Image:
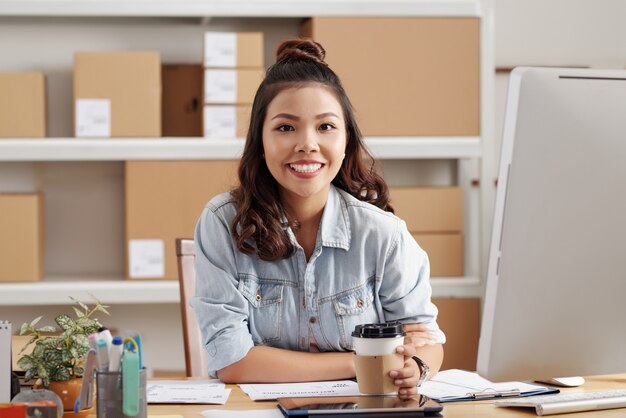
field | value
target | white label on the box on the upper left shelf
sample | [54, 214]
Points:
[93, 118]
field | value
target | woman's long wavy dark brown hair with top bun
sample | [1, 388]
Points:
[259, 220]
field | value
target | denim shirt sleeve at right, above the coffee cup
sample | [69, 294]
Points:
[405, 291]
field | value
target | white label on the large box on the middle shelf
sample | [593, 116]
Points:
[146, 258]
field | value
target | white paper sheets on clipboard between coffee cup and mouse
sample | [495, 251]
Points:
[456, 383]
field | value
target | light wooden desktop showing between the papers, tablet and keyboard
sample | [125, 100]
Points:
[239, 400]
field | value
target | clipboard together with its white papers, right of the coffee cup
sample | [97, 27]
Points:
[460, 385]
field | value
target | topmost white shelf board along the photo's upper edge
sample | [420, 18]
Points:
[240, 8]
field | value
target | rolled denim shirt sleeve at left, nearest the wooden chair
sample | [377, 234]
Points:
[221, 310]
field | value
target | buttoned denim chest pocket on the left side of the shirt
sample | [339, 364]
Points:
[265, 302]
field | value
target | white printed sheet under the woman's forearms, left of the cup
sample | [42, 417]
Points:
[270, 391]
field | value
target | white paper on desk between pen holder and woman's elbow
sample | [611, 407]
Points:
[187, 391]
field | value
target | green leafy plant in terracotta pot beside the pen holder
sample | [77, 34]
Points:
[58, 360]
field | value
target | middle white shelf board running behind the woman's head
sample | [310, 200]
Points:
[121, 149]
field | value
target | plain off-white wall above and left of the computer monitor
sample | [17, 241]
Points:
[588, 33]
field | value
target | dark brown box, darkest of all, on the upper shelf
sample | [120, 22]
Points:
[181, 105]
